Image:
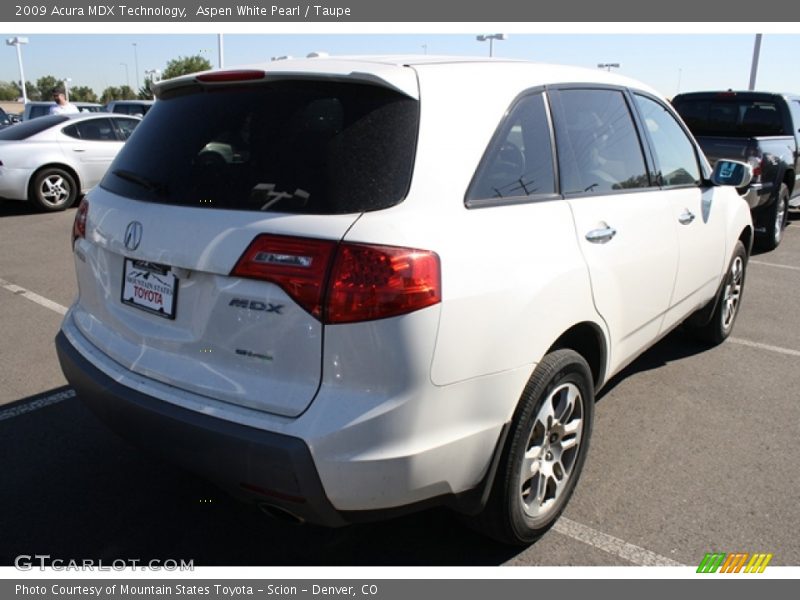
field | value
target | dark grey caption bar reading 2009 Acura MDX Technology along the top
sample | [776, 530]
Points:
[411, 11]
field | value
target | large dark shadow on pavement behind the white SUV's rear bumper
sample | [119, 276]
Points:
[74, 491]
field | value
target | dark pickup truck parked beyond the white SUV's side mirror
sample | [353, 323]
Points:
[762, 129]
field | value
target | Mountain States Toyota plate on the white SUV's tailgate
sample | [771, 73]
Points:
[149, 287]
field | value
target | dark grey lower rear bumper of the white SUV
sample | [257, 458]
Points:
[261, 466]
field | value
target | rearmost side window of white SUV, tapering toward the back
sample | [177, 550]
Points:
[519, 161]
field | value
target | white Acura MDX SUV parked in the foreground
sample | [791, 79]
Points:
[346, 288]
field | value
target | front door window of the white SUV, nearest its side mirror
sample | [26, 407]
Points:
[675, 153]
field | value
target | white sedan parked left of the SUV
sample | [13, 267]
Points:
[52, 160]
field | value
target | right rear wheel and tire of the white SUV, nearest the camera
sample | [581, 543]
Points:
[544, 452]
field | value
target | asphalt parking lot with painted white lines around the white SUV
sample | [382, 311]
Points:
[694, 450]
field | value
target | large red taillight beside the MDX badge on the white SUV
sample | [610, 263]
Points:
[345, 283]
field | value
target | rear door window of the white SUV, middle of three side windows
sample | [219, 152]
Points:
[599, 148]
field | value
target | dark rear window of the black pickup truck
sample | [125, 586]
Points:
[731, 117]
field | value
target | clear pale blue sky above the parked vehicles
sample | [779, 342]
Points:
[668, 62]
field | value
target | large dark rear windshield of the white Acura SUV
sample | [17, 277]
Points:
[292, 146]
